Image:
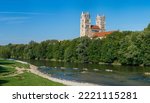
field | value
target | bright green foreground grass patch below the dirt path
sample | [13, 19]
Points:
[28, 79]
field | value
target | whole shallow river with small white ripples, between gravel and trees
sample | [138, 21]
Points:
[94, 73]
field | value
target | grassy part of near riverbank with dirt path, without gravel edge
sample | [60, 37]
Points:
[10, 76]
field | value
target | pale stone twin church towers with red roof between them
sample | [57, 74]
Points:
[86, 29]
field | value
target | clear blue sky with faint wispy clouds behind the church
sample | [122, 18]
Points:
[24, 20]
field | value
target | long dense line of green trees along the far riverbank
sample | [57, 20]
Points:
[126, 48]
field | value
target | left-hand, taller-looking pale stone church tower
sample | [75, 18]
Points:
[85, 25]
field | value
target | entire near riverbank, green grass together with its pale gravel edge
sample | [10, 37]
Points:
[25, 74]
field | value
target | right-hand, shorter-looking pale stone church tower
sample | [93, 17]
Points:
[100, 21]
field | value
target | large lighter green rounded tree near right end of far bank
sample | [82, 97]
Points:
[130, 52]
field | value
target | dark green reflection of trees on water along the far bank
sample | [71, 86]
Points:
[126, 69]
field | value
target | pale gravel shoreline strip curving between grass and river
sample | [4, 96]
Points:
[34, 69]
